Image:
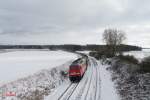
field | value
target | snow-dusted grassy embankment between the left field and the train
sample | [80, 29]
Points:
[36, 86]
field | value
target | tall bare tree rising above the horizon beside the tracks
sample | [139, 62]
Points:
[113, 38]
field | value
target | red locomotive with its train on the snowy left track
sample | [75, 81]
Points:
[77, 69]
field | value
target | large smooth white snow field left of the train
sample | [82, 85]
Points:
[18, 64]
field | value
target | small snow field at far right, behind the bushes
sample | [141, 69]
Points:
[139, 54]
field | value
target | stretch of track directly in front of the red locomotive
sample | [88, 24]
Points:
[68, 92]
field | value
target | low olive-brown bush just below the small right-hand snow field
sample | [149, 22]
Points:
[129, 58]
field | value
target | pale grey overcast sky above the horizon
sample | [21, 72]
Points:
[73, 21]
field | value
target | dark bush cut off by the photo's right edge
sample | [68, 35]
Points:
[145, 64]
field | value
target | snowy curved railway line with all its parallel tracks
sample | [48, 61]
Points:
[88, 88]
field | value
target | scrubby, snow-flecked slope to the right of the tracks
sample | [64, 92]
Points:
[131, 84]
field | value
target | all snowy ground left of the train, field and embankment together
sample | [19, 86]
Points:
[41, 73]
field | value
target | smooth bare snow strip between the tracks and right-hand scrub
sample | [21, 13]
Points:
[108, 90]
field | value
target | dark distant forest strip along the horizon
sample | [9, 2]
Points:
[70, 47]
